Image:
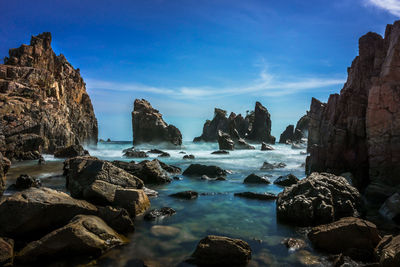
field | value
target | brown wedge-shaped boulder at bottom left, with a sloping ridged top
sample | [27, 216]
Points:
[84, 235]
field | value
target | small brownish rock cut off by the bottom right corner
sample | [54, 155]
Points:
[388, 251]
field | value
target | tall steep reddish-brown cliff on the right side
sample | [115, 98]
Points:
[358, 130]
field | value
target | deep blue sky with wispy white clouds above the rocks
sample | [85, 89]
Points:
[189, 56]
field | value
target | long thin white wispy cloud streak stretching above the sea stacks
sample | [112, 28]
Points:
[265, 85]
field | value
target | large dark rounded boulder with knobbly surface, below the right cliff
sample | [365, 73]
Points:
[319, 198]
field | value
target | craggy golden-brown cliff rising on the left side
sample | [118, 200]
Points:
[43, 102]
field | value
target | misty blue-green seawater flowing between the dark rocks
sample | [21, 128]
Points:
[217, 212]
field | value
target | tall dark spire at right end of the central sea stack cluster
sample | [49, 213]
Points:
[261, 126]
